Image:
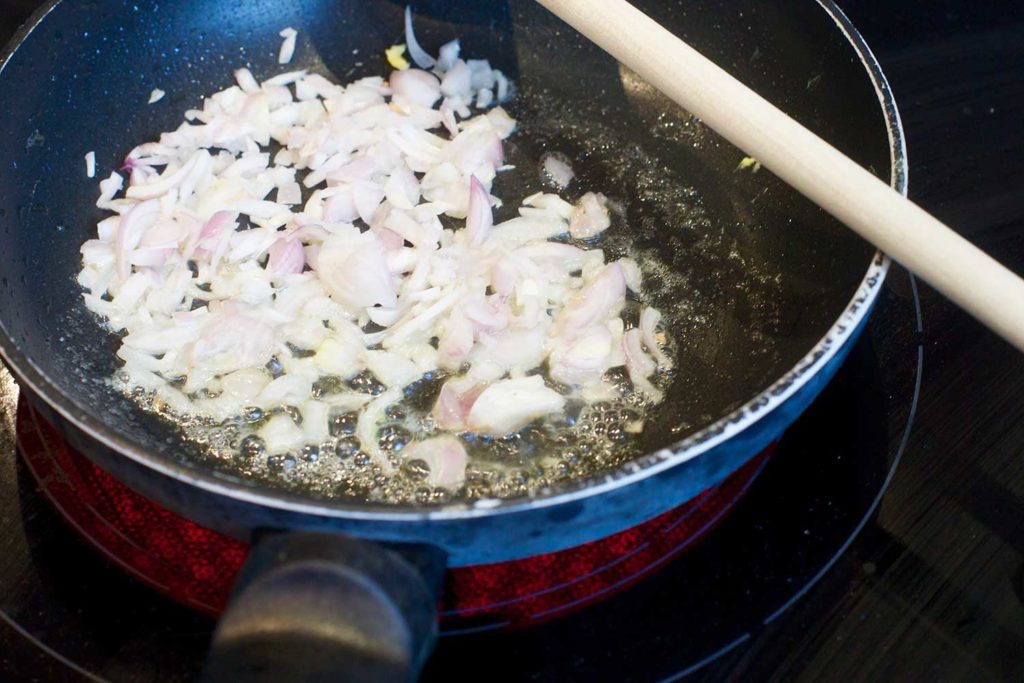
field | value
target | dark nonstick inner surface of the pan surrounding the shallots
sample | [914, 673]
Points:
[756, 275]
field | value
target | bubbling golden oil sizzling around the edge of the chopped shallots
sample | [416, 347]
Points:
[587, 439]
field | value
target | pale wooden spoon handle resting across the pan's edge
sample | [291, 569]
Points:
[969, 277]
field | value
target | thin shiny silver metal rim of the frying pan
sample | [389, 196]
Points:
[753, 411]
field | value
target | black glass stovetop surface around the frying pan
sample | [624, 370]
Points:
[884, 541]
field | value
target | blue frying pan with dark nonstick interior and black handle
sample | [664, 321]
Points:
[767, 292]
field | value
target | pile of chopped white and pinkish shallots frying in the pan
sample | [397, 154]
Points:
[244, 281]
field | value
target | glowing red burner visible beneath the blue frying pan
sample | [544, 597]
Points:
[197, 567]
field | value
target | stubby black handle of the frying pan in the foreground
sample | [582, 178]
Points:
[314, 607]
